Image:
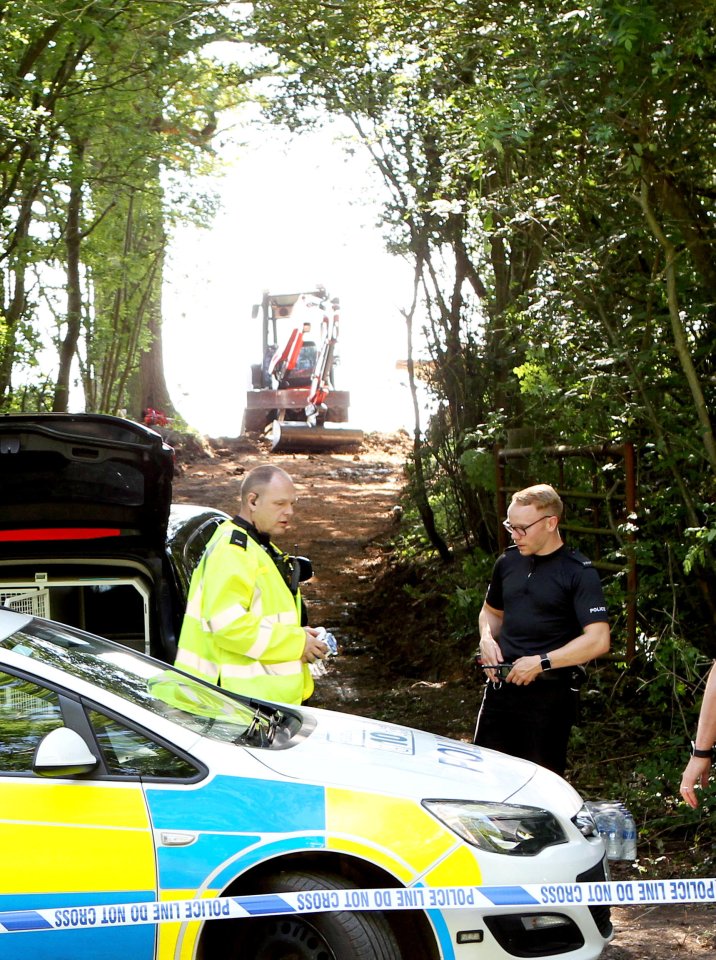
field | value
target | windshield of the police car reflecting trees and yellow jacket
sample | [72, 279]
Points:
[138, 679]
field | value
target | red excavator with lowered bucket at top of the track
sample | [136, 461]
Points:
[293, 393]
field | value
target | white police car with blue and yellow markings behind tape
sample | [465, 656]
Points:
[128, 788]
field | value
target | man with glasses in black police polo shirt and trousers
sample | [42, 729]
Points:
[545, 614]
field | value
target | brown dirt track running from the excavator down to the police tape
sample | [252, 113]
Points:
[344, 523]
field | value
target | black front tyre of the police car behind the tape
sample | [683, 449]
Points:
[339, 935]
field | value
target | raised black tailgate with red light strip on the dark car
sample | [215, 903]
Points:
[68, 477]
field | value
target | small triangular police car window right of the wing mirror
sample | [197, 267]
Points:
[130, 753]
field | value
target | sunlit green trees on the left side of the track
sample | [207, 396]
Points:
[98, 102]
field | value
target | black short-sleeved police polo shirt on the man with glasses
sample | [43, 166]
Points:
[546, 600]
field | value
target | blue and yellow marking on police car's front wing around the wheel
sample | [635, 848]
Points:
[395, 833]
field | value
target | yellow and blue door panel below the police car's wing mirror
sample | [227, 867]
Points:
[64, 842]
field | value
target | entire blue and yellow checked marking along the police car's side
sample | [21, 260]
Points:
[102, 845]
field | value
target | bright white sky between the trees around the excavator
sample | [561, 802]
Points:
[294, 215]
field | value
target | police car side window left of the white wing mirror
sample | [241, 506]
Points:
[27, 714]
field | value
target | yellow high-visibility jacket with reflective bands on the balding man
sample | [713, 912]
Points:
[242, 627]
